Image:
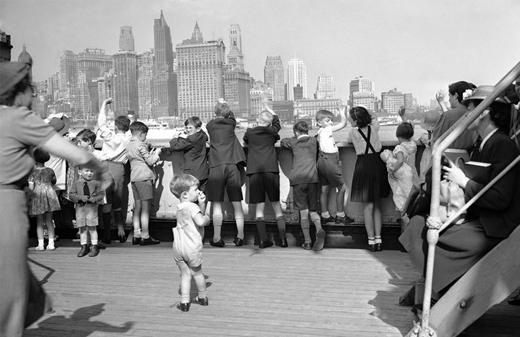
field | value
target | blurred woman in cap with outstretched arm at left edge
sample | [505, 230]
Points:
[22, 300]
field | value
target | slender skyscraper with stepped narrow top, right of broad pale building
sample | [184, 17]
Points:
[237, 83]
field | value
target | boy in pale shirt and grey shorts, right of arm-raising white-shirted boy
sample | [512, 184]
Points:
[142, 178]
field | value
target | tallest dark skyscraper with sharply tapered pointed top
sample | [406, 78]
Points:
[164, 101]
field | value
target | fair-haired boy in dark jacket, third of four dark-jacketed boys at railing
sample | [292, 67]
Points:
[263, 173]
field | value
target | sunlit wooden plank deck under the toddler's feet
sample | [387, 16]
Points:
[132, 291]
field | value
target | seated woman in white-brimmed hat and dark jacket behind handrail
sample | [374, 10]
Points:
[491, 219]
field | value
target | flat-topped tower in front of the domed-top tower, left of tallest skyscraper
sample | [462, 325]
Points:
[125, 83]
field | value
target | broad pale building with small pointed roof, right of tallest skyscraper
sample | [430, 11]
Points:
[200, 75]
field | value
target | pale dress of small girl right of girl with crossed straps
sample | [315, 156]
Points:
[400, 178]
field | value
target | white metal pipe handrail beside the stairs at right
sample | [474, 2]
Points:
[434, 222]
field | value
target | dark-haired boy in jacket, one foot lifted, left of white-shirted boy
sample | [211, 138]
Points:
[304, 182]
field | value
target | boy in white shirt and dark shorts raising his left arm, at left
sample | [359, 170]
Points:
[114, 149]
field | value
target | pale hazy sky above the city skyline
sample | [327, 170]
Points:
[417, 46]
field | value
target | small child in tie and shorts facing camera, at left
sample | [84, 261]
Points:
[87, 194]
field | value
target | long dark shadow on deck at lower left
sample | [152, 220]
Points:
[80, 323]
